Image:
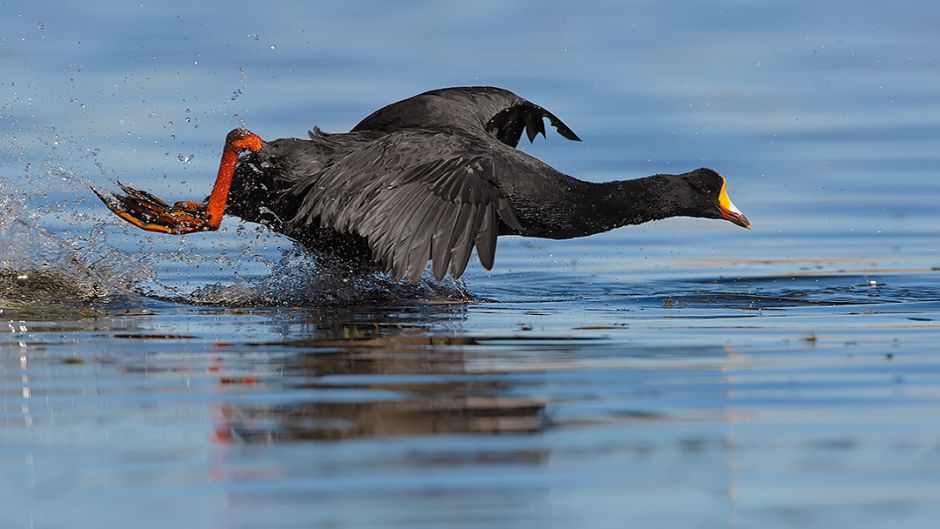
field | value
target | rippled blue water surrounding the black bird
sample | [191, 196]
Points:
[685, 373]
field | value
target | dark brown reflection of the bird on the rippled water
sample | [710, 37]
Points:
[381, 381]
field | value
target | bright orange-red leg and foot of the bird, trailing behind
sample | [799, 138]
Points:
[153, 214]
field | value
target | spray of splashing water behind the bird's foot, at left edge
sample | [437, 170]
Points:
[53, 261]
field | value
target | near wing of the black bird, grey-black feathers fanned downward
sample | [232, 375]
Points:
[414, 195]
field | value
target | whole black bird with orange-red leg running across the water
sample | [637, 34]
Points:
[427, 178]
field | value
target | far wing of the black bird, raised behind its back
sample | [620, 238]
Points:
[500, 112]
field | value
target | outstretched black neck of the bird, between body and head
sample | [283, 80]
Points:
[605, 206]
